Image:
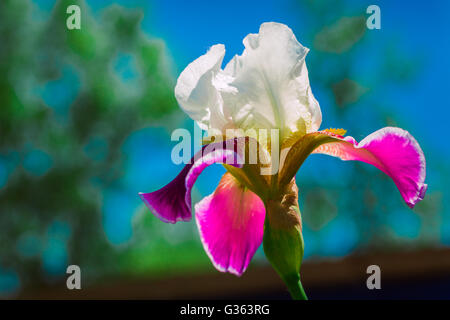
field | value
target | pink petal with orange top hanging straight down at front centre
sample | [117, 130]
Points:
[231, 225]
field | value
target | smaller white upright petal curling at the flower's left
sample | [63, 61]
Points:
[195, 91]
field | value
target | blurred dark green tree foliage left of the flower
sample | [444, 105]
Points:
[65, 111]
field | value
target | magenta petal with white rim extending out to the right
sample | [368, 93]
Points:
[392, 150]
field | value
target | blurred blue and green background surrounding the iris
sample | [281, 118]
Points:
[85, 123]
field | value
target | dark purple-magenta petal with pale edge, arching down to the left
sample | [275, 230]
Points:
[172, 203]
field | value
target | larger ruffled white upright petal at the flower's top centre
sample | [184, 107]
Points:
[271, 83]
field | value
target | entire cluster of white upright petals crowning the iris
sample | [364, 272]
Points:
[266, 87]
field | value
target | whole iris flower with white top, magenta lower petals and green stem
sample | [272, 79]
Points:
[267, 87]
